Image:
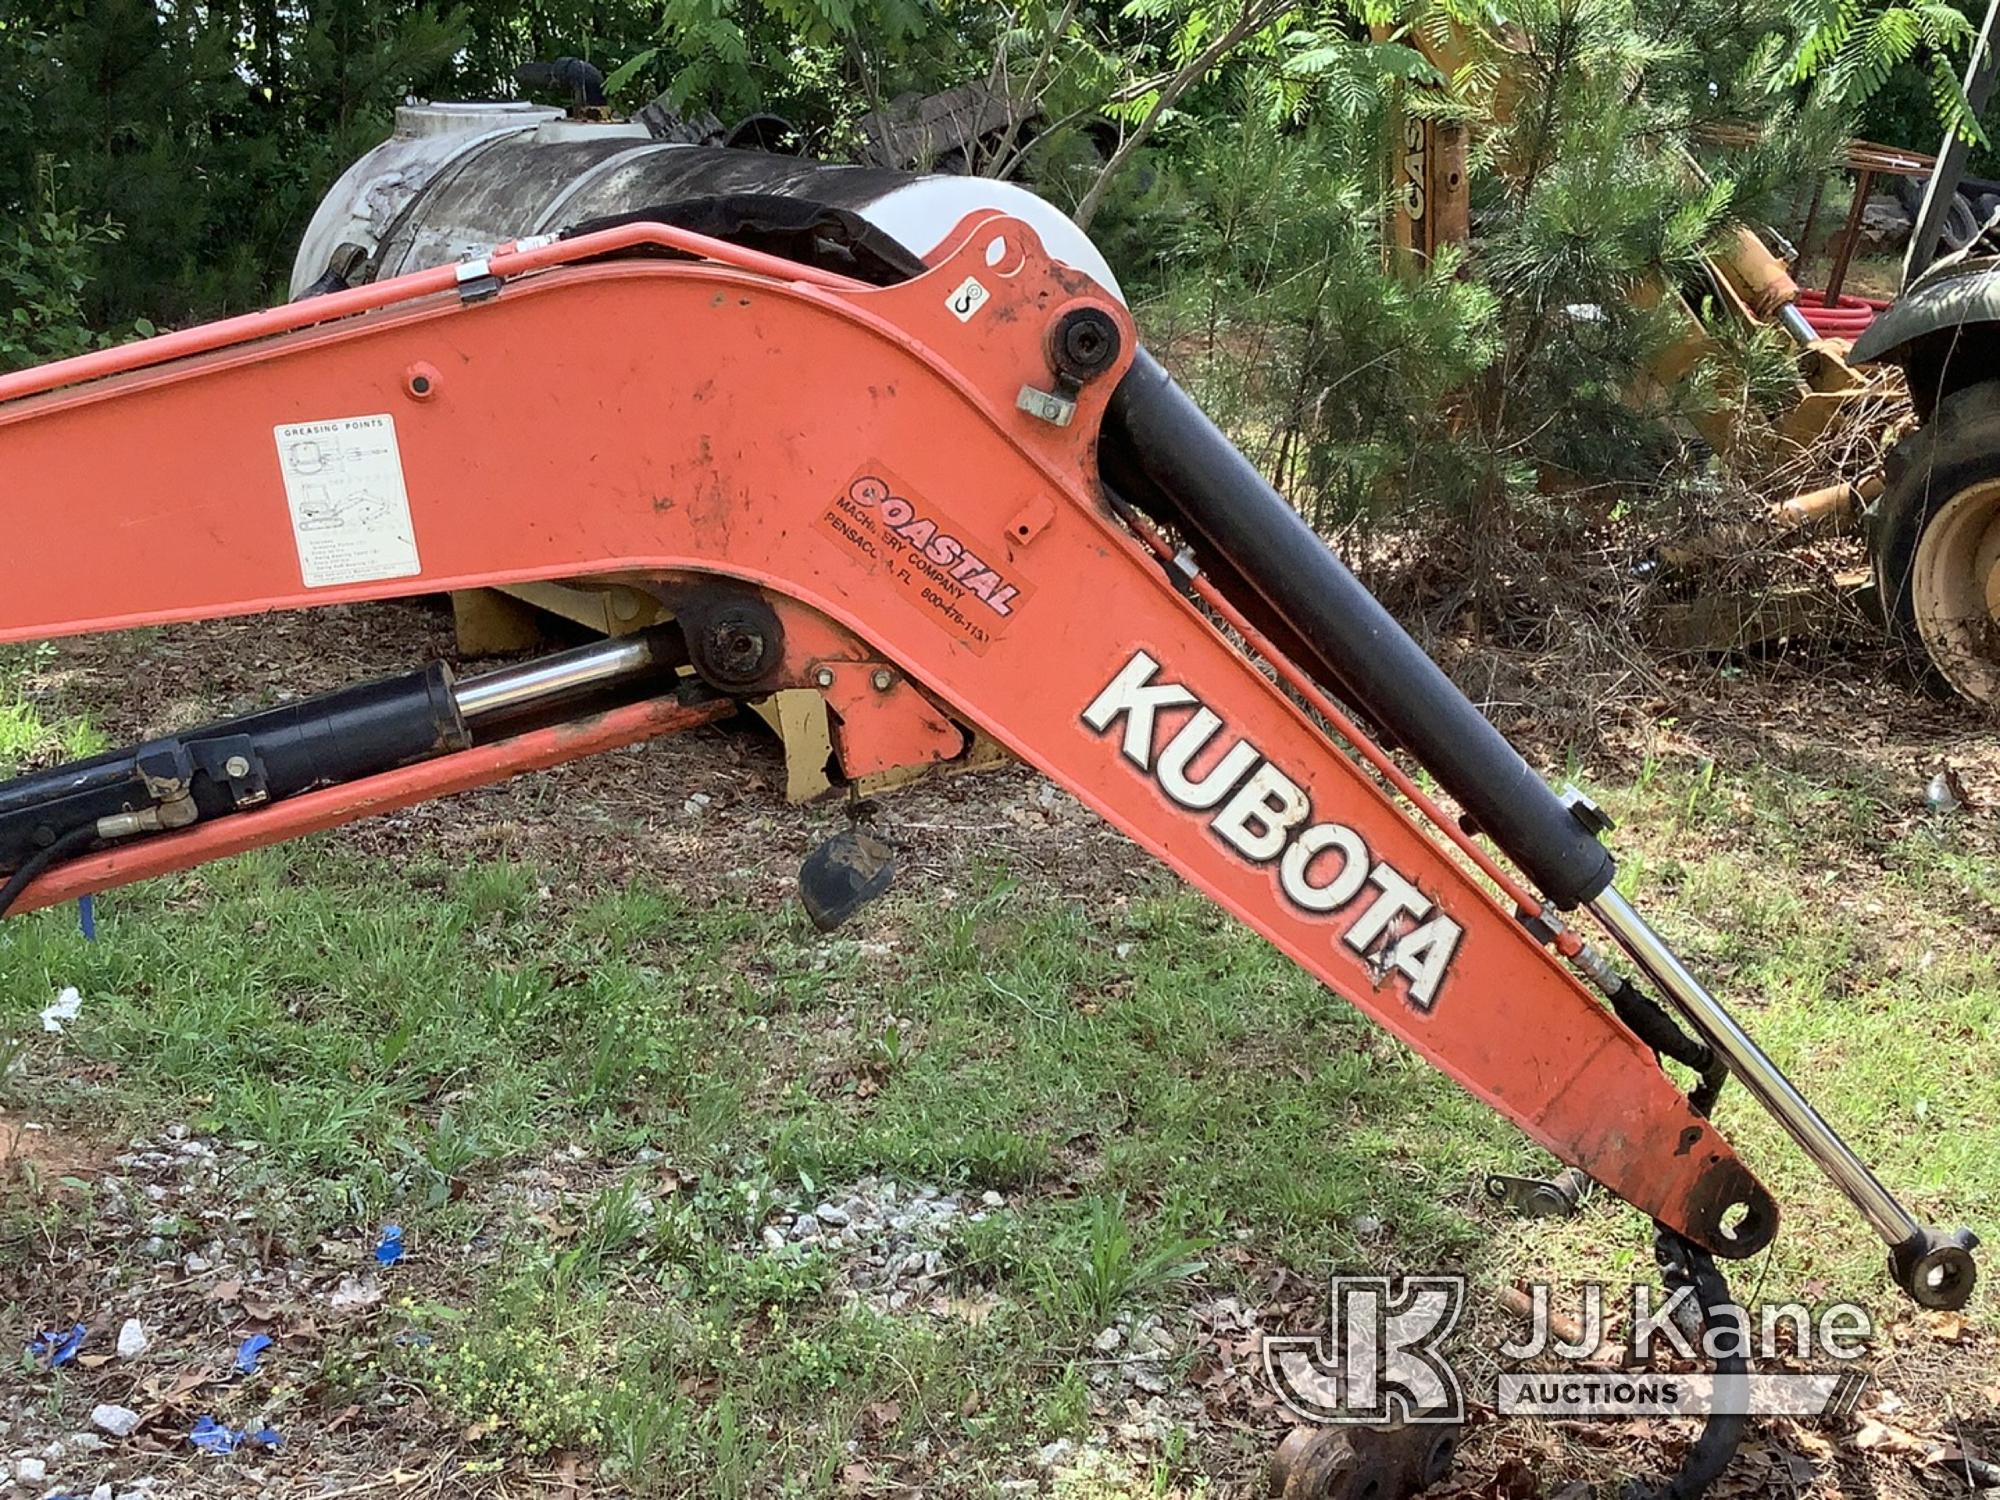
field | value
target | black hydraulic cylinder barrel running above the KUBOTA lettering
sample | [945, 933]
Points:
[1377, 665]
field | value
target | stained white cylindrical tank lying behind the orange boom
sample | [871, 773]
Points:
[459, 179]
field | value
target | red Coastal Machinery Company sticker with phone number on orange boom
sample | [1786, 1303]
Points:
[925, 555]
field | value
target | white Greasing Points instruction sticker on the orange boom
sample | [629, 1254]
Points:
[351, 515]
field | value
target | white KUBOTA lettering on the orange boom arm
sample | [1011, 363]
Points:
[1323, 869]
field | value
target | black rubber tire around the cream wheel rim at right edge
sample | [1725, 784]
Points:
[1953, 453]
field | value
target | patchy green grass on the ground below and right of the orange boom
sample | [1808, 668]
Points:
[1165, 1101]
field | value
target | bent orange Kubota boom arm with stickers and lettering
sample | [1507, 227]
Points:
[885, 495]
